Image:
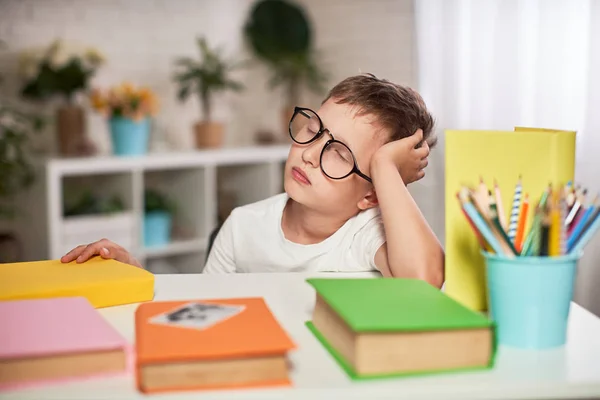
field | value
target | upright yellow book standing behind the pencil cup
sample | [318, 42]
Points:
[539, 156]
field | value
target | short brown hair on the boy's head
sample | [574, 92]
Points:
[399, 109]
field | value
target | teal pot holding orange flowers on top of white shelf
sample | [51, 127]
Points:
[129, 137]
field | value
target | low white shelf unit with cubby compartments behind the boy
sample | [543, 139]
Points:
[201, 184]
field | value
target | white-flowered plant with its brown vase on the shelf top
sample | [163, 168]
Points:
[61, 70]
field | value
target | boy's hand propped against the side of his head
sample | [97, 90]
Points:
[404, 154]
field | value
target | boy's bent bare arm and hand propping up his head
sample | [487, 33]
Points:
[412, 249]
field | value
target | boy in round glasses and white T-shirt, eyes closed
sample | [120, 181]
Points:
[346, 206]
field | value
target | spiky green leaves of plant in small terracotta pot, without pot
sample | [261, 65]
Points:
[205, 77]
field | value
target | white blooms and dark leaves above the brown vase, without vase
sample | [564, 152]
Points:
[61, 69]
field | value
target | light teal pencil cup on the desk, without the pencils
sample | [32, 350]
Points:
[529, 299]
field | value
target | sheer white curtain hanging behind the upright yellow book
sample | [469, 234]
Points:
[495, 64]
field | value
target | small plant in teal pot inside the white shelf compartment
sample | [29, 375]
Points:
[158, 216]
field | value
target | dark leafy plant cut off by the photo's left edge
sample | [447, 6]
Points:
[16, 169]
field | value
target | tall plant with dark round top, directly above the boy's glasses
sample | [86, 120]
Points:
[280, 34]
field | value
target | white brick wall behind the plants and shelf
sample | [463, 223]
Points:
[142, 37]
